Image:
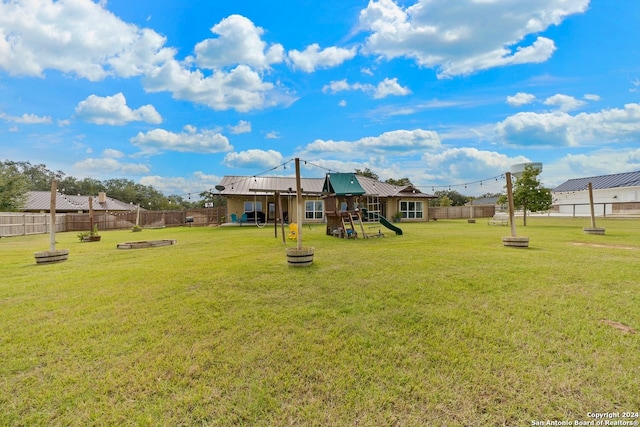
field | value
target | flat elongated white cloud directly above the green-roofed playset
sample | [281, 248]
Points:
[399, 142]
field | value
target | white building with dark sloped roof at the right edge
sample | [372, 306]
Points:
[612, 194]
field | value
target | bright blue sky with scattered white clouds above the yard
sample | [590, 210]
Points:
[177, 94]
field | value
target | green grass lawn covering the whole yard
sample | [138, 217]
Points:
[440, 326]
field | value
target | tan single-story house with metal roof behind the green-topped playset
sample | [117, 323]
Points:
[247, 194]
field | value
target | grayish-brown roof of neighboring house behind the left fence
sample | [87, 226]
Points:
[40, 201]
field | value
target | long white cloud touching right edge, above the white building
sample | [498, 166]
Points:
[562, 129]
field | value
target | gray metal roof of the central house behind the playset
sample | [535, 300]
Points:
[248, 185]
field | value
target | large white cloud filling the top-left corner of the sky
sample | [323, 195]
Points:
[75, 36]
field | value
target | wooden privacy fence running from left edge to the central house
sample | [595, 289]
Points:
[20, 224]
